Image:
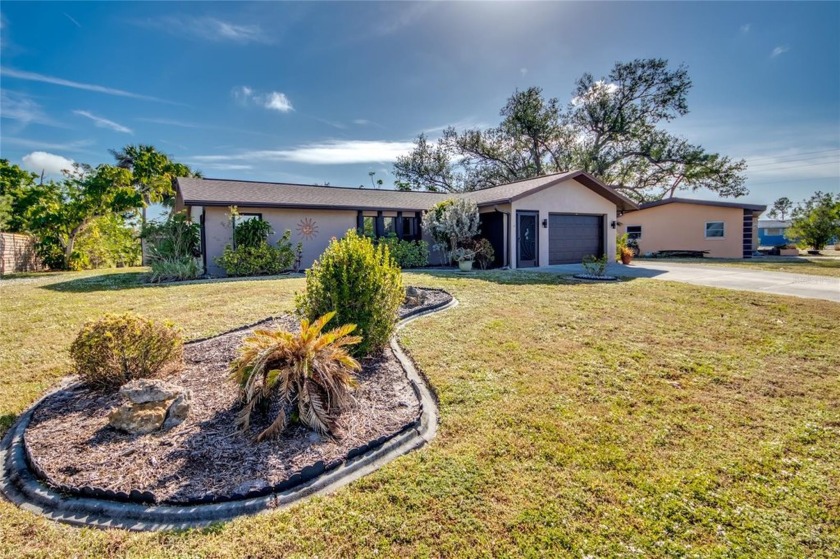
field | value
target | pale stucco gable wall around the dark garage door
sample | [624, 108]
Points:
[567, 197]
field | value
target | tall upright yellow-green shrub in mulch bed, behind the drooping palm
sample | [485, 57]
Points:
[361, 283]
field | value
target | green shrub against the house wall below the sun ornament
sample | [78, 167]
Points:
[262, 259]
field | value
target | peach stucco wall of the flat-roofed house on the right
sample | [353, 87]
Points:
[683, 227]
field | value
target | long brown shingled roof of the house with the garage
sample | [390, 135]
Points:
[223, 192]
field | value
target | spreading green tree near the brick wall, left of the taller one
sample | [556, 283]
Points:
[58, 212]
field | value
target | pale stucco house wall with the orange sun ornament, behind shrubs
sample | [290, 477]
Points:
[329, 223]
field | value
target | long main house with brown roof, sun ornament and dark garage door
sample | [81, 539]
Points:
[555, 219]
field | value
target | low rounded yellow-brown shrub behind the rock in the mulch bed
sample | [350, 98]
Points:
[115, 349]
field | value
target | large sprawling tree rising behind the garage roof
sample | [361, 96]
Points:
[611, 128]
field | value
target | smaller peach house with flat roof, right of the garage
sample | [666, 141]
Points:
[724, 229]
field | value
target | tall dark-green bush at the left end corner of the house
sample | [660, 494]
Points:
[173, 248]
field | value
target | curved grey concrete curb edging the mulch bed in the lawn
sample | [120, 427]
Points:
[20, 484]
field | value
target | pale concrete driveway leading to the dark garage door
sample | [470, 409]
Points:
[727, 277]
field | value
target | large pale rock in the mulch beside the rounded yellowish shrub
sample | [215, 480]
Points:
[152, 405]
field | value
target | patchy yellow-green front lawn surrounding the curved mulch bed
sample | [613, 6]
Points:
[641, 418]
